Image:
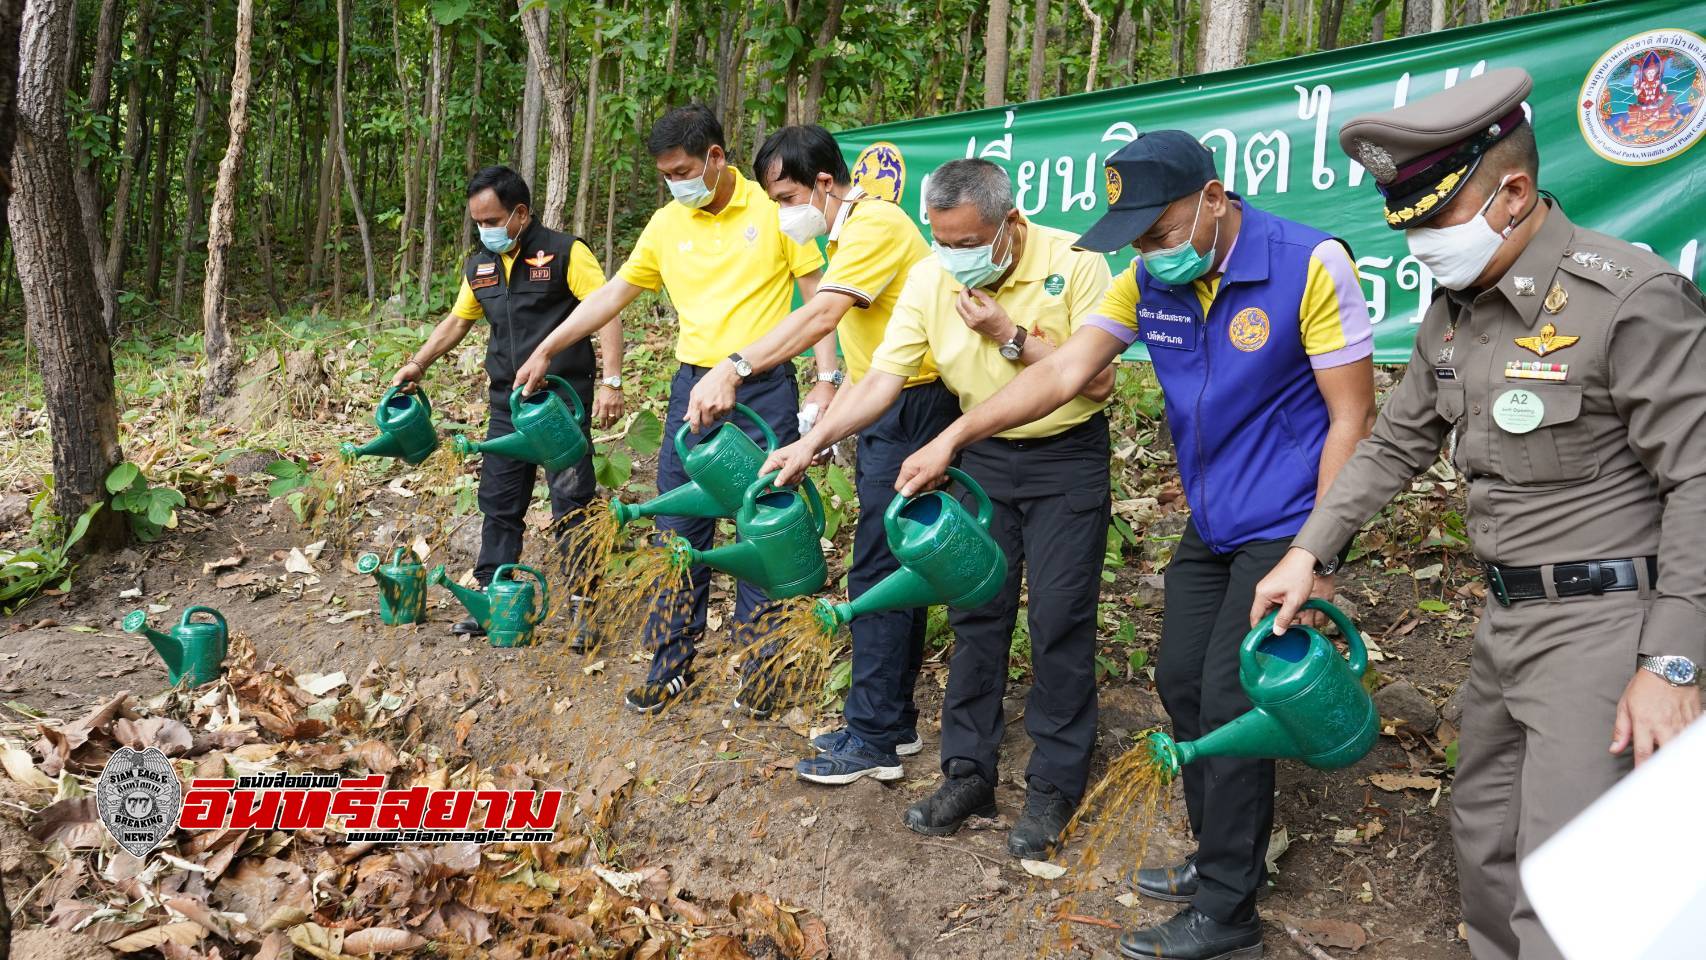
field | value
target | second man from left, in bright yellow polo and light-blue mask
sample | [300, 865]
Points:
[729, 270]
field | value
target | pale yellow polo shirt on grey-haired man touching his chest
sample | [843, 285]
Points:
[1052, 292]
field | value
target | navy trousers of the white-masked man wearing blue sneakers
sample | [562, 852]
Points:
[888, 647]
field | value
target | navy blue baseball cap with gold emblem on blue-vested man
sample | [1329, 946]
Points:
[1144, 178]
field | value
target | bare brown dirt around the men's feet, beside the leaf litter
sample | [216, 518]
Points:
[717, 801]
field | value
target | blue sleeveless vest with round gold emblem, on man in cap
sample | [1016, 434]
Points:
[1246, 415]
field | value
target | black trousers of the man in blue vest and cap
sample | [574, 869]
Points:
[1231, 801]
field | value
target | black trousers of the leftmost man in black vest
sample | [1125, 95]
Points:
[506, 490]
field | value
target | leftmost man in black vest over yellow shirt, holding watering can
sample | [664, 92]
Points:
[523, 306]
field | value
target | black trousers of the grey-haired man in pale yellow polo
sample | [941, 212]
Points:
[1052, 509]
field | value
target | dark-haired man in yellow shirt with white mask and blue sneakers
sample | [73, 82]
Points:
[873, 246]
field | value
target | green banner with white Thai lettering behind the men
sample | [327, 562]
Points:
[1618, 95]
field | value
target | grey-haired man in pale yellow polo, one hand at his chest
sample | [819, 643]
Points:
[997, 298]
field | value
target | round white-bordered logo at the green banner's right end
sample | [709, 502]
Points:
[1642, 101]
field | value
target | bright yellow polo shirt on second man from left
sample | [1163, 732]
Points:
[729, 274]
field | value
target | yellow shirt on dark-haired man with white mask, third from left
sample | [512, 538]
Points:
[871, 250]
